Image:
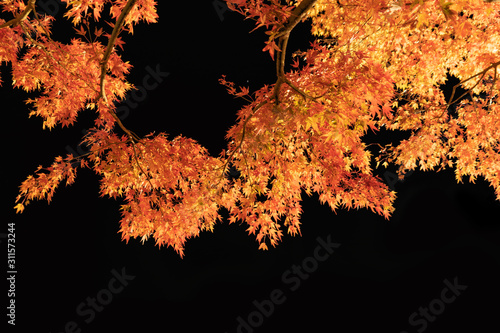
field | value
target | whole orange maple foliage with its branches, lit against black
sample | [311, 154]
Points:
[375, 65]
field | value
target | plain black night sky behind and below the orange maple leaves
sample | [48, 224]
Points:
[432, 267]
